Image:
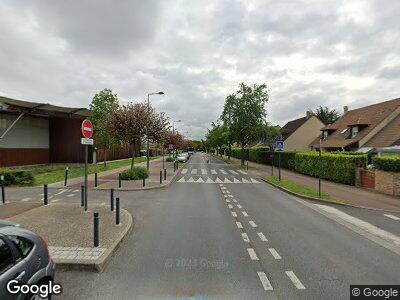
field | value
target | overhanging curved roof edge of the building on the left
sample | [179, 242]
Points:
[36, 108]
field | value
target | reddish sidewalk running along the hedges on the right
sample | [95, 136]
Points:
[347, 194]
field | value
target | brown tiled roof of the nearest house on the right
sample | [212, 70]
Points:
[372, 116]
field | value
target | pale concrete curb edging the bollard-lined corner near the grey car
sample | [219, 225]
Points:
[99, 264]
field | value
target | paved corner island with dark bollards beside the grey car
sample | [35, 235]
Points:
[69, 232]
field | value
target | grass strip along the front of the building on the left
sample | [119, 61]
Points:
[54, 173]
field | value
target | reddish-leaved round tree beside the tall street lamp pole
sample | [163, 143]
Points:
[128, 123]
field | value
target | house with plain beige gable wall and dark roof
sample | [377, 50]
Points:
[300, 133]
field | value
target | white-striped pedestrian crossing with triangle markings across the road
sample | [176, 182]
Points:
[215, 176]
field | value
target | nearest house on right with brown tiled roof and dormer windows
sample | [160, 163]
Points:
[372, 126]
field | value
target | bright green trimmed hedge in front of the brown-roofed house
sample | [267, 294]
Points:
[334, 167]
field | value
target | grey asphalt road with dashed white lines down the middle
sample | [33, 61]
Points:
[220, 233]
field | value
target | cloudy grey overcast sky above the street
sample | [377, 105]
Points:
[309, 53]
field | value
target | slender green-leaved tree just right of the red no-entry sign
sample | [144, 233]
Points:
[103, 103]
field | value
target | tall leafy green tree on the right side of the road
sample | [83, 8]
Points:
[246, 113]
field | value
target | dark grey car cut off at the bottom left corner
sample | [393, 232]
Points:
[24, 256]
